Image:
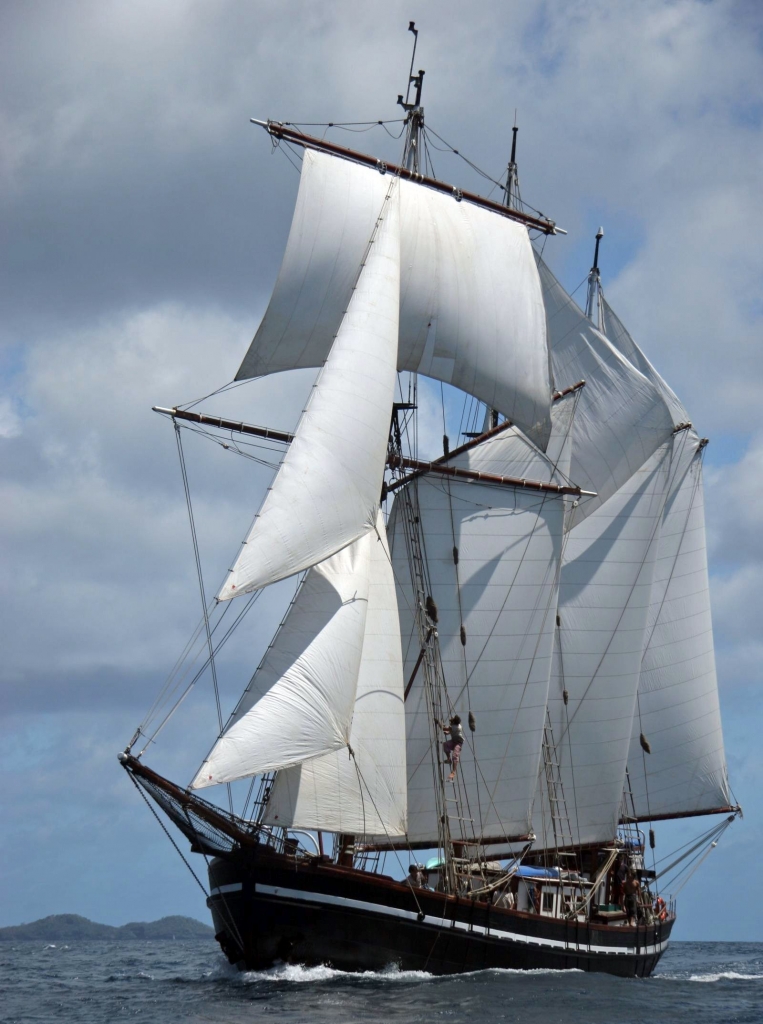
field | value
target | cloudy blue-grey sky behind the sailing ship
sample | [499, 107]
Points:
[144, 220]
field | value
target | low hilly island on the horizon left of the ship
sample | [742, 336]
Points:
[68, 927]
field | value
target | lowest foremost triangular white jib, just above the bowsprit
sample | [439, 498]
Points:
[300, 703]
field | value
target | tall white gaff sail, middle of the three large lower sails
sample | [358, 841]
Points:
[604, 603]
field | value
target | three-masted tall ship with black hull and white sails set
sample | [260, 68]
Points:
[496, 676]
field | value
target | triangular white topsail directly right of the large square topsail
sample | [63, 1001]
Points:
[622, 418]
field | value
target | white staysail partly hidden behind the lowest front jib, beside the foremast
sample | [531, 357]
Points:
[364, 794]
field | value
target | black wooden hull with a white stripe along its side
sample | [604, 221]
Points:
[268, 909]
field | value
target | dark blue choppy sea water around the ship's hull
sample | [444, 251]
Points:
[189, 983]
